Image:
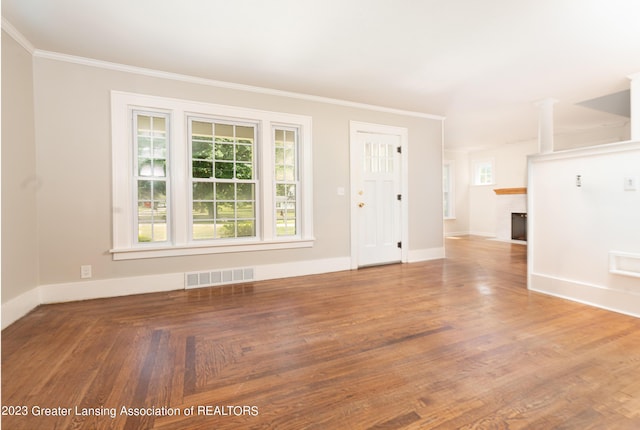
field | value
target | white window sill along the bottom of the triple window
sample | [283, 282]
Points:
[196, 249]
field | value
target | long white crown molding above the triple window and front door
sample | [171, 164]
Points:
[222, 84]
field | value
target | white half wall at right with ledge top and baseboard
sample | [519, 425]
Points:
[573, 230]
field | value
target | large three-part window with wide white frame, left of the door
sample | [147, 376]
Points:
[194, 178]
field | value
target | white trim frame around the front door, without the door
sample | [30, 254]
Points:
[356, 127]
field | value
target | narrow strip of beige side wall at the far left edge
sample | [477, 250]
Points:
[20, 182]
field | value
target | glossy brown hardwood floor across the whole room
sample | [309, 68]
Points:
[453, 343]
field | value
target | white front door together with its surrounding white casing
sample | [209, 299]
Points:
[378, 194]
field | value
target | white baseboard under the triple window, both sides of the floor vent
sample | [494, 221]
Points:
[101, 288]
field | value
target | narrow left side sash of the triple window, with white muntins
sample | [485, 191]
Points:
[151, 140]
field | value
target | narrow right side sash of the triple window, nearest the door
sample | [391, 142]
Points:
[286, 180]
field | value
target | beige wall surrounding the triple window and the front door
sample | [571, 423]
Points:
[73, 157]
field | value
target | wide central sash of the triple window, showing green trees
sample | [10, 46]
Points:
[223, 172]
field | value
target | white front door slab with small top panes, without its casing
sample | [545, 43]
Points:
[377, 197]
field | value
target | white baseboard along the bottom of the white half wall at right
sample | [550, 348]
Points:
[623, 302]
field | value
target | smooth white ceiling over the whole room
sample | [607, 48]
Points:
[481, 64]
